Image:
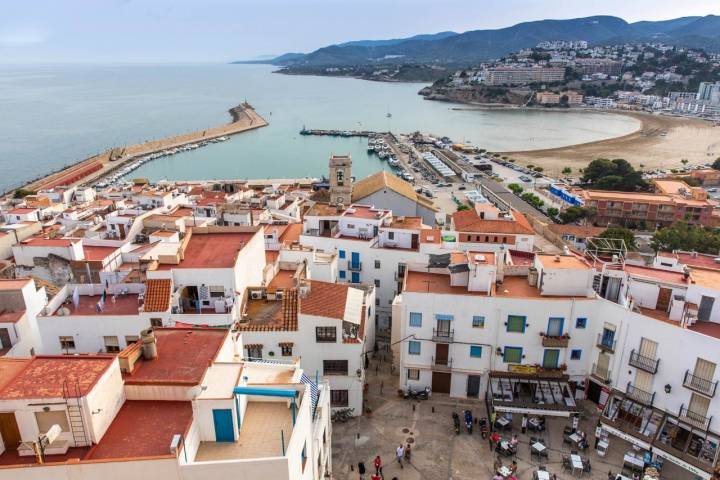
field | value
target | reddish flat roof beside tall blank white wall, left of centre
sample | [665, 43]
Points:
[212, 250]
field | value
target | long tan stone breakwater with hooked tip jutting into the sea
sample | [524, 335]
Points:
[244, 118]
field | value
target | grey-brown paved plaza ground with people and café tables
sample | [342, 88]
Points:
[438, 453]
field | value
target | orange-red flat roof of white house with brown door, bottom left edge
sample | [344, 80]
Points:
[44, 376]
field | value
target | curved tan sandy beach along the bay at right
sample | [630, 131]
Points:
[661, 142]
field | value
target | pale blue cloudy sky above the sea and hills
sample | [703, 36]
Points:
[171, 31]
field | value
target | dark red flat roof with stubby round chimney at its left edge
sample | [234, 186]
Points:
[183, 357]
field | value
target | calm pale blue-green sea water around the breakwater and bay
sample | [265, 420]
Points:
[51, 116]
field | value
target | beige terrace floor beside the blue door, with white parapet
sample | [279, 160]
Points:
[263, 427]
